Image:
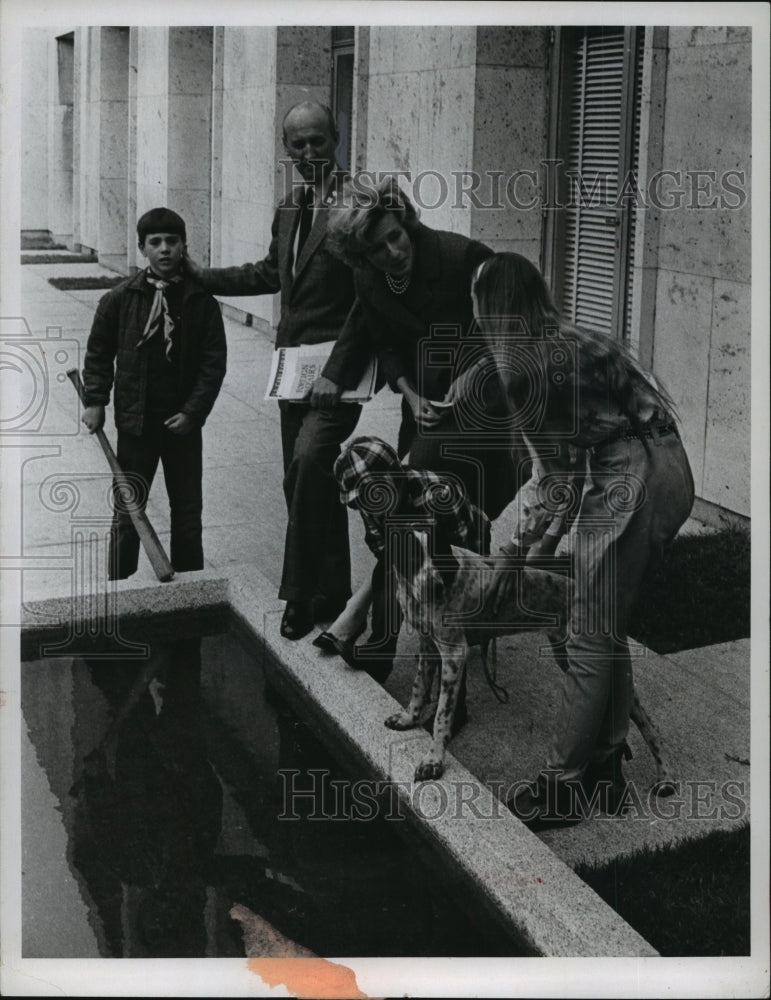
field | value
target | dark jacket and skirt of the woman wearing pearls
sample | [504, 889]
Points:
[428, 336]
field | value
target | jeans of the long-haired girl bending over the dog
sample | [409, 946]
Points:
[632, 506]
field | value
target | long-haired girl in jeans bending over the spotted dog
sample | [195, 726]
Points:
[607, 456]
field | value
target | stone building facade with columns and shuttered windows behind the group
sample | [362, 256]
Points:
[616, 158]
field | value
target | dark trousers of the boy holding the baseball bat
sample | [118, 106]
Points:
[181, 458]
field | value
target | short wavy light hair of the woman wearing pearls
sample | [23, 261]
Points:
[359, 209]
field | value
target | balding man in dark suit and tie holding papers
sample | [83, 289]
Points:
[316, 296]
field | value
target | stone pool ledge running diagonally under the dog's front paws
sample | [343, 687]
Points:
[522, 882]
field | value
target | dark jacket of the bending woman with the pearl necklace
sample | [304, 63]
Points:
[437, 305]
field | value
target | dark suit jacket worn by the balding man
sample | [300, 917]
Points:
[316, 296]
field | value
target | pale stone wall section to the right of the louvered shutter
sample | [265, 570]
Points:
[702, 319]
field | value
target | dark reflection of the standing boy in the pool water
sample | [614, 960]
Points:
[149, 806]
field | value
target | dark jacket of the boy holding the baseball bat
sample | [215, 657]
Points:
[120, 320]
